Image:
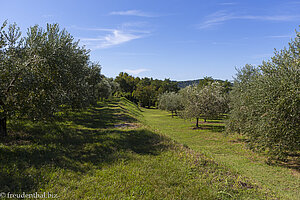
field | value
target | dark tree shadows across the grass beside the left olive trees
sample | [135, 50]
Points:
[33, 148]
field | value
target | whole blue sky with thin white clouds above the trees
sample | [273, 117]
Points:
[176, 39]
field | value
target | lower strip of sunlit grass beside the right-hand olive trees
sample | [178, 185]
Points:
[229, 151]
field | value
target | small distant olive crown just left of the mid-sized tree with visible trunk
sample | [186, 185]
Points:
[170, 101]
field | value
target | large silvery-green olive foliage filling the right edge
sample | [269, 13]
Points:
[265, 102]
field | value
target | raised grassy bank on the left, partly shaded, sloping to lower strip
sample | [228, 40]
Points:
[105, 152]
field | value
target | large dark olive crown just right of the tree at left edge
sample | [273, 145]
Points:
[64, 75]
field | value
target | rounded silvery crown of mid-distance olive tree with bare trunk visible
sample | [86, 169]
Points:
[205, 102]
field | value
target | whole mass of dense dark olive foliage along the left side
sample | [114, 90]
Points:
[42, 73]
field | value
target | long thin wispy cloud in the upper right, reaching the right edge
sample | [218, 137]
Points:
[221, 17]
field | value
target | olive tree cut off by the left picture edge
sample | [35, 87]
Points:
[14, 71]
